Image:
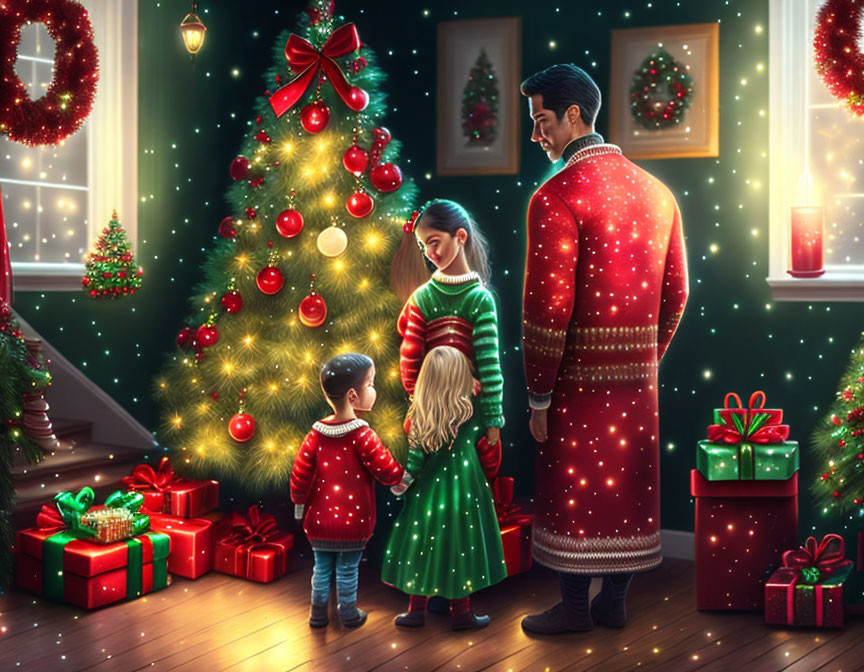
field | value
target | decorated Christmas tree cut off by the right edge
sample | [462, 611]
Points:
[839, 443]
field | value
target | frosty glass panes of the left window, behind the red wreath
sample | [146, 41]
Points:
[44, 188]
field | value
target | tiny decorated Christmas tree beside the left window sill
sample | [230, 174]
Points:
[111, 270]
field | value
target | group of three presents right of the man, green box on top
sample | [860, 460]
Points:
[747, 555]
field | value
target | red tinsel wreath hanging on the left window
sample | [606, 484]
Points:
[69, 99]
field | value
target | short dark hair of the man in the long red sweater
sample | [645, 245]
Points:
[564, 85]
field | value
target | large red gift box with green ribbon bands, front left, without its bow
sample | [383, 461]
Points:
[86, 574]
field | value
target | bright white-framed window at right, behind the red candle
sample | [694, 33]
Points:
[817, 158]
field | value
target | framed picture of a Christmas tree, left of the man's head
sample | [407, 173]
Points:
[478, 96]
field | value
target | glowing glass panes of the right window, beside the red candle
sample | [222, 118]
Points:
[837, 167]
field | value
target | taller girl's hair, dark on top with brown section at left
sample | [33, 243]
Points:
[410, 268]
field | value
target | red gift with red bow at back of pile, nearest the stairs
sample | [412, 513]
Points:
[165, 492]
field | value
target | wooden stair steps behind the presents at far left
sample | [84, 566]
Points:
[78, 462]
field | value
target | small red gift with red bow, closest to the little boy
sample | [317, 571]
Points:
[252, 547]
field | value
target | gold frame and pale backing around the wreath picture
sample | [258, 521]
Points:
[695, 45]
